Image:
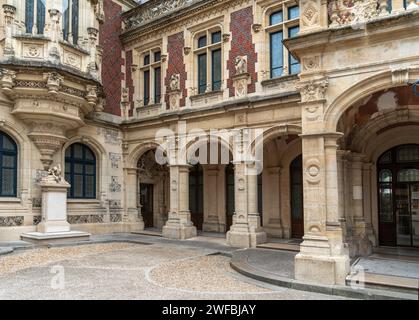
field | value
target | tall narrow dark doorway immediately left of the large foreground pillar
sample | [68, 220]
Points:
[297, 205]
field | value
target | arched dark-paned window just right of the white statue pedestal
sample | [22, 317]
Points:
[80, 171]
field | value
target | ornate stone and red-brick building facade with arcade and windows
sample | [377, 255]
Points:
[329, 86]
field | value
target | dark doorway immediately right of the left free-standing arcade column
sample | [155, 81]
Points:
[196, 195]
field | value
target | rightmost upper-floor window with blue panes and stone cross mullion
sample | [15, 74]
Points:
[282, 23]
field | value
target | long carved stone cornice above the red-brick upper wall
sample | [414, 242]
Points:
[182, 17]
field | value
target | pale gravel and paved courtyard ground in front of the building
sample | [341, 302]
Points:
[130, 271]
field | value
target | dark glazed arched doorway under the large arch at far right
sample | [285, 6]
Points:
[398, 196]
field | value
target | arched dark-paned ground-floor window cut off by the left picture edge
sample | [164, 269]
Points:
[8, 166]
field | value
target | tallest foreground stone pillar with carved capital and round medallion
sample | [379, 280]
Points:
[323, 255]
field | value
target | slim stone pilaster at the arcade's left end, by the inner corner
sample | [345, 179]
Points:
[133, 216]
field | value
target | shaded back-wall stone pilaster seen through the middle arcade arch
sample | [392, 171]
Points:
[211, 223]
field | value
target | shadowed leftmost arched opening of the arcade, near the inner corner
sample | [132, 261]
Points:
[152, 190]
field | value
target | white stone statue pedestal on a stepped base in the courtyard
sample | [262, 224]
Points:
[54, 226]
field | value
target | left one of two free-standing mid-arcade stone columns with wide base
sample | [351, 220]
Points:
[179, 224]
